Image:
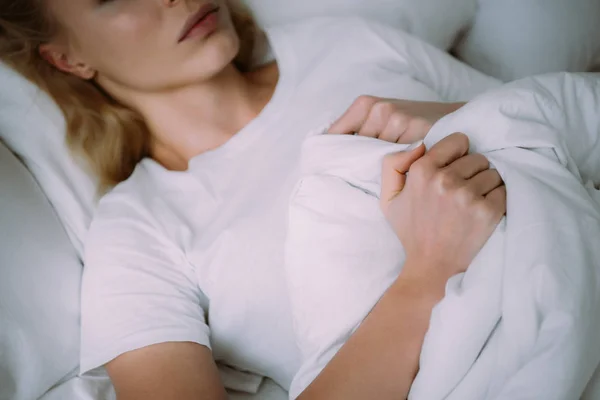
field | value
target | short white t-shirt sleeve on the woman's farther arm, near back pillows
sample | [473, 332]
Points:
[450, 78]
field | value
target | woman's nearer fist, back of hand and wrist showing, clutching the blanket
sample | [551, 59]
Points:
[443, 205]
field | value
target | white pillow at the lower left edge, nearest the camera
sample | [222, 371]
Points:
[39, 288]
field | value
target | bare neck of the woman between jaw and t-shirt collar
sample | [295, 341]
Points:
[193, 119]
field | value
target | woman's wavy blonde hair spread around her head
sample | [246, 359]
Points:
[112, 137]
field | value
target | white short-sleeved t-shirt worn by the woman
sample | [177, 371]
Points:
[198, 255]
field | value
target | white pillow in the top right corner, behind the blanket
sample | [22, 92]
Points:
[511, 39]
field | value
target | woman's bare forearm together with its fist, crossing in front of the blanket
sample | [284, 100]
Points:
[443, 214]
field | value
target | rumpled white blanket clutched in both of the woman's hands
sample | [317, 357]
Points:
[524, 321]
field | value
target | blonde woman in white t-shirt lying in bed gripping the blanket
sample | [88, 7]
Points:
[160, 97]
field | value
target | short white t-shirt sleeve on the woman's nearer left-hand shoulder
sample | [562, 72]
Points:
[138, 289]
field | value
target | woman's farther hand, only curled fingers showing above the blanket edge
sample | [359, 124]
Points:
[397, 121]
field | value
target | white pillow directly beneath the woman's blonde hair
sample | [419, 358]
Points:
[32, 126]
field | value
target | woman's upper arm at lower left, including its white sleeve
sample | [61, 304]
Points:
[143, 315]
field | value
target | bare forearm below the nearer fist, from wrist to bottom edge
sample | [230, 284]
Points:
[380, 361]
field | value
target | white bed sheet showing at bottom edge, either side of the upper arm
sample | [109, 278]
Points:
[99, 387]
